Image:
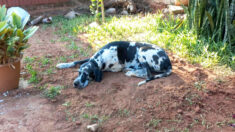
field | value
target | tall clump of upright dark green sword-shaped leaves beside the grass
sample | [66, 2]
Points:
[213, 19]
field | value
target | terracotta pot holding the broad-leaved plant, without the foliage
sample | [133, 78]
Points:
[9, 76]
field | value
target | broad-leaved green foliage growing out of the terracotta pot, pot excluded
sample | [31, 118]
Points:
[13, 36]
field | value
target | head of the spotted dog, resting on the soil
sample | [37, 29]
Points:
[87, 72]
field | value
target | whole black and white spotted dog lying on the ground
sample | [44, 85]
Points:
[138, 59]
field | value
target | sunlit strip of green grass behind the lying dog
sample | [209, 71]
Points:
[153, 28]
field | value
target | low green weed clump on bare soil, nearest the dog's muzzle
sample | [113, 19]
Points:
[53, 91]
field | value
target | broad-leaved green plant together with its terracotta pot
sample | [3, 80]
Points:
[13, 40]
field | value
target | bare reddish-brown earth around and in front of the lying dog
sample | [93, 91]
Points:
[174, 103]
